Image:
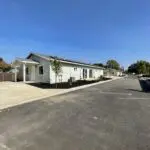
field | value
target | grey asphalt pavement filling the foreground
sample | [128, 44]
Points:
[110, 116]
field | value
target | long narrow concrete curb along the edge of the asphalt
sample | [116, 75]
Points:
[57, 94]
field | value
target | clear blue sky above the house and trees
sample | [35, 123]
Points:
[85, 30]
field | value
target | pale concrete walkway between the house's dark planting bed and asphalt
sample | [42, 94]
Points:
[12, 94]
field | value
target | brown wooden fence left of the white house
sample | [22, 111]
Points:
[7, 77]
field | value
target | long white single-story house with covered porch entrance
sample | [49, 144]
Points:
[38, 68]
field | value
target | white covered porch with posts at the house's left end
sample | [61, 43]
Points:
[26, 68]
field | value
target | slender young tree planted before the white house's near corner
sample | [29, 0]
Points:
[57, 68]
